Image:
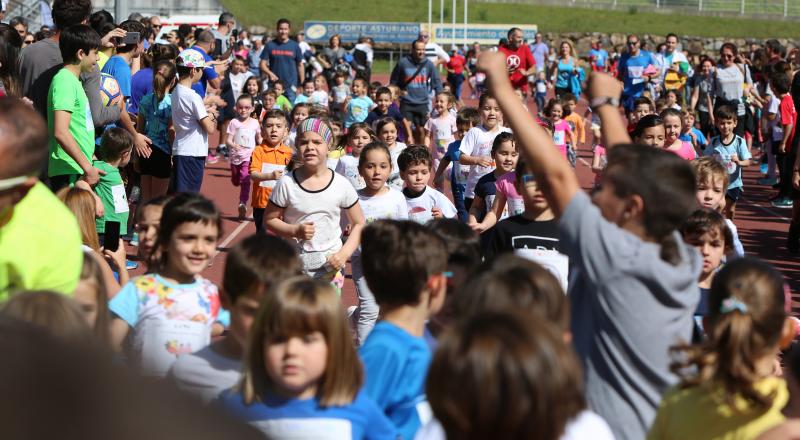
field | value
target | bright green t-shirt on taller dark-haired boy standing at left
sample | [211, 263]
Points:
[66, 93]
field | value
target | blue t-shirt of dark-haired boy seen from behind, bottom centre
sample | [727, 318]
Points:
[396, 364]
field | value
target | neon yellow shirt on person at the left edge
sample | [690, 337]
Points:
[40, 246]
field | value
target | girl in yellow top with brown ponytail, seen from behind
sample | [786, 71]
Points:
[728, 387]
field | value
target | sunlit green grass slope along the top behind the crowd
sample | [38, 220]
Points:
[549, 18]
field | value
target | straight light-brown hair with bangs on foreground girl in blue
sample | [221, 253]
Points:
[300, 306]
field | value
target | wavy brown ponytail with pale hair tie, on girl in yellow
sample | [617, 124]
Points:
[745, 323]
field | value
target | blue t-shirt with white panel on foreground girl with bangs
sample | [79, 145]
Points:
[278, 416]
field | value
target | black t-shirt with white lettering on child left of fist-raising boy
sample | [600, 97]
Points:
[517, 232]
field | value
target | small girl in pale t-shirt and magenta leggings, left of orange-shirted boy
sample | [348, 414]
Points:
[243, 136]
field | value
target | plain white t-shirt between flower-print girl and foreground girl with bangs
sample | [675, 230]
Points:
[205, 374]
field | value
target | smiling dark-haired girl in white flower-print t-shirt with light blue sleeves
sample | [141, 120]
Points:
[171, 311]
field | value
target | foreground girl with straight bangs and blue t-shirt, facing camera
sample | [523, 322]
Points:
[302, 377]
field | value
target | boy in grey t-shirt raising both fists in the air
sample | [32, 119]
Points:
[625, 253]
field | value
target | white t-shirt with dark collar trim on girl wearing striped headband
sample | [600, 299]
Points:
[322, 207]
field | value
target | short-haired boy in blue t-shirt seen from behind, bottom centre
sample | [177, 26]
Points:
[409, 288]
